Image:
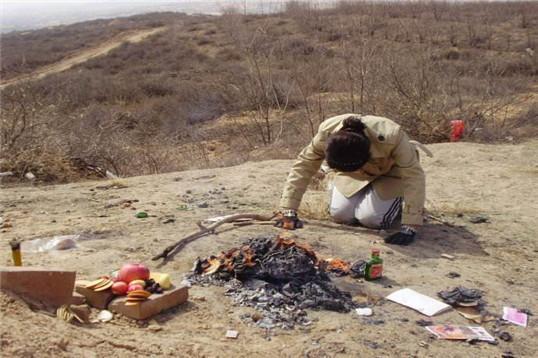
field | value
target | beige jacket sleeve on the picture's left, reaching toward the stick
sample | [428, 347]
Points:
[307, 164]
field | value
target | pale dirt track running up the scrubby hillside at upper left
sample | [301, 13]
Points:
[84, 56]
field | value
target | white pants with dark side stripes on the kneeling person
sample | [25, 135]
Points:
[366, 206]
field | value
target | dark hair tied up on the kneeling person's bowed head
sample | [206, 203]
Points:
[349, 148]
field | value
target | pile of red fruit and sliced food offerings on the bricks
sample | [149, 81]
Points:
[134, 281]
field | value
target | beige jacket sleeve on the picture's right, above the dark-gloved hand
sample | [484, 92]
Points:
[413, 180]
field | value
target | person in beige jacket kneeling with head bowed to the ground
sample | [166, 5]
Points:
[377, 174]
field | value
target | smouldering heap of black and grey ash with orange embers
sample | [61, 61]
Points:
[277, 276]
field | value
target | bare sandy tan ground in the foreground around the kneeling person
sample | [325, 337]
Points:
[463, 179]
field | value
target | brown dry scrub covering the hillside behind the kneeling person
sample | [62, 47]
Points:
[214, 91]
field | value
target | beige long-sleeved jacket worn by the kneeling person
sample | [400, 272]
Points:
[394, 168]
